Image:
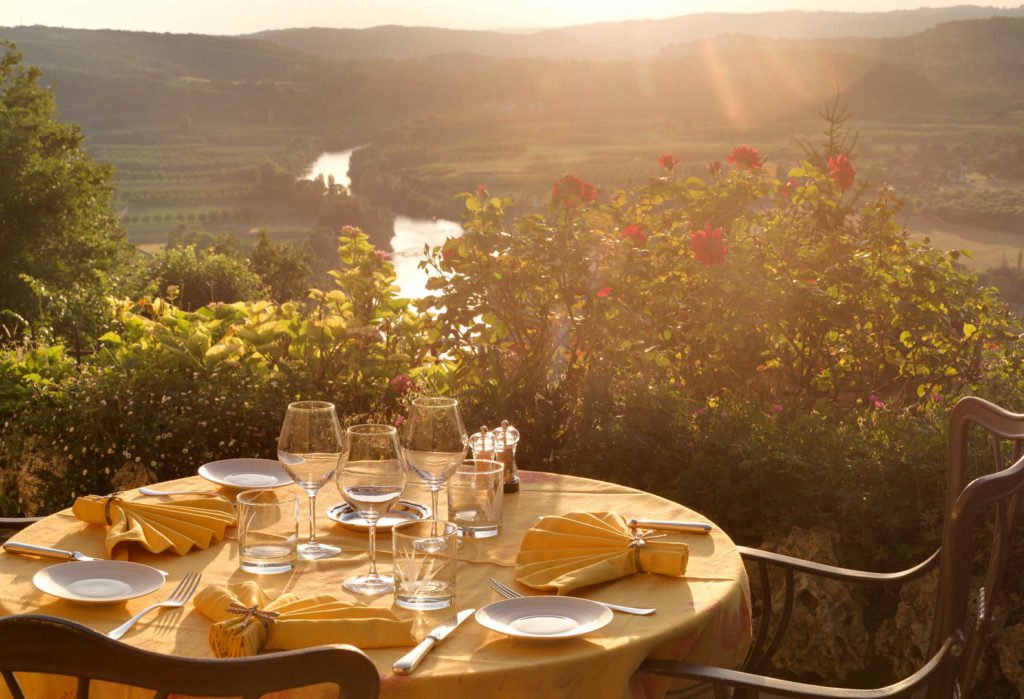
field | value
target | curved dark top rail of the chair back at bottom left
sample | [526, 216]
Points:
[33, 643]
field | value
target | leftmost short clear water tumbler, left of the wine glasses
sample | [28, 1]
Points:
[269, 532]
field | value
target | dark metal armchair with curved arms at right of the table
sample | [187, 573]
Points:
[959, 638]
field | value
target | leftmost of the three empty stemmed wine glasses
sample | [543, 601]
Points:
[309, 449]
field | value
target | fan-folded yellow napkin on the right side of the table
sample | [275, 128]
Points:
[584, 549]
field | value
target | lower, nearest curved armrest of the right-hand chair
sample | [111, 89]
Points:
[719, 678]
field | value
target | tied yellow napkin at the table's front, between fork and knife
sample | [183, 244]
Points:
[246, 622]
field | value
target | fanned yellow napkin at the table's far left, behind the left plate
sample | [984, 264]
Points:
[178, 526]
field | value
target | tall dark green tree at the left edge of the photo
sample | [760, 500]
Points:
[62, 243]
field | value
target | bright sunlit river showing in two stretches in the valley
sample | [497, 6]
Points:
[410, 234]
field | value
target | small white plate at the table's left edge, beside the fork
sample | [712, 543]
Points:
[99, 583]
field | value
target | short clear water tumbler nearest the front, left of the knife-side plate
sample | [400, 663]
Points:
[424, 556]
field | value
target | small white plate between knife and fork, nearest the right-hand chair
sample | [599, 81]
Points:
[544, 619]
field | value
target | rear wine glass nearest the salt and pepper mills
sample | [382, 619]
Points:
[435, 442]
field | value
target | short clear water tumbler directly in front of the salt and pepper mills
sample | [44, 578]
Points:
[476, 492]
